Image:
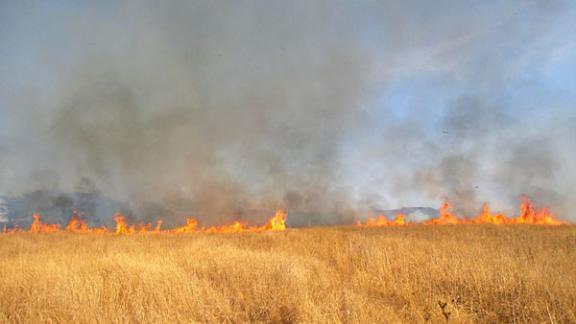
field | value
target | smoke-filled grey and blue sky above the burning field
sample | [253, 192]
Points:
[328, 108]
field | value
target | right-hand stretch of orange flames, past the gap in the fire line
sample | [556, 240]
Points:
[528, 215]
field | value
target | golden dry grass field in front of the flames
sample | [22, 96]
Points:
[481, 273]
